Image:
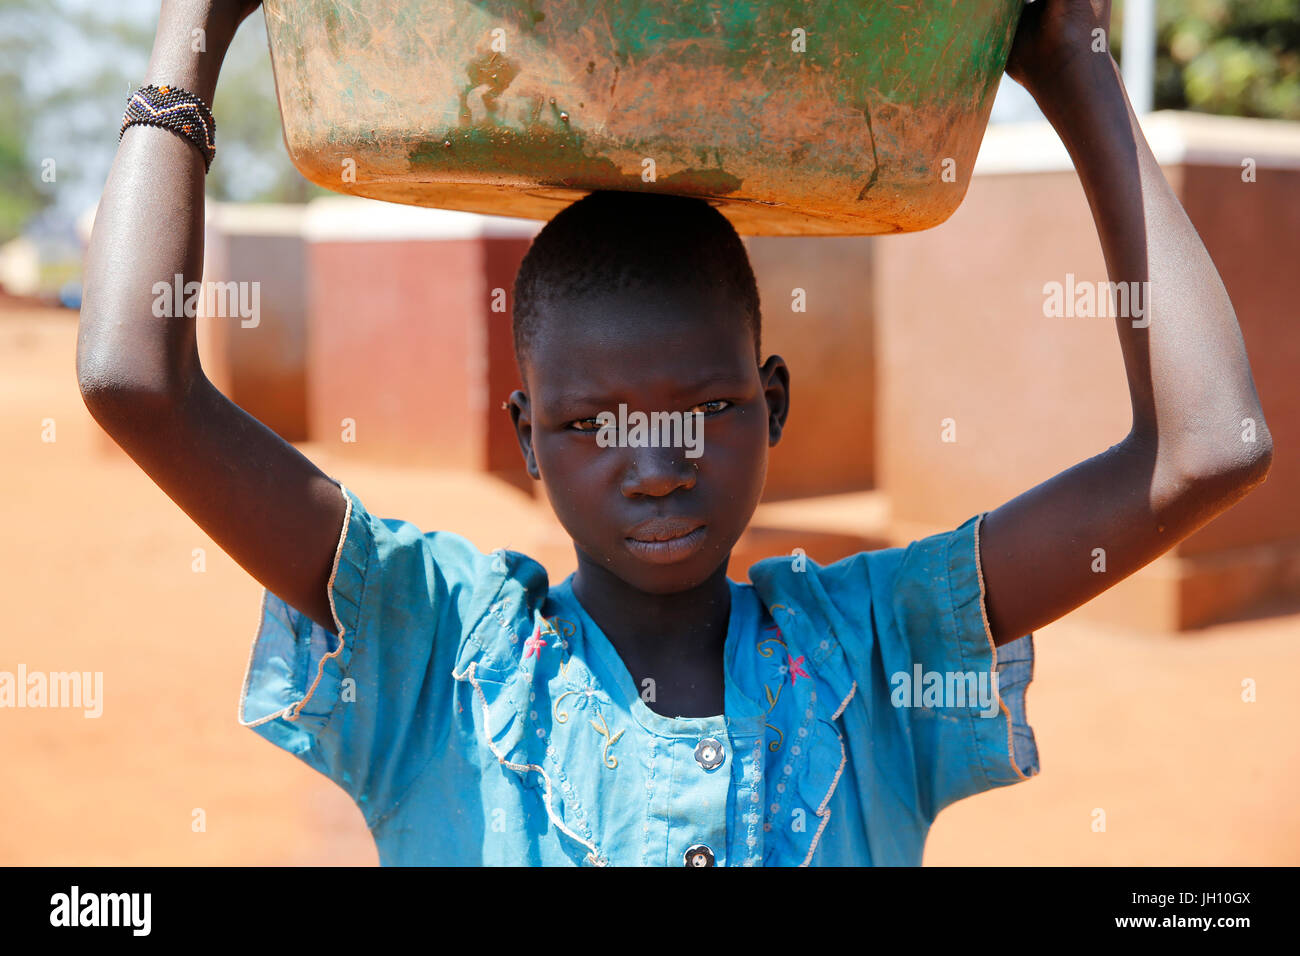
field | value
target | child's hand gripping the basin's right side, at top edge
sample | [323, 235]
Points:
[1055, 38]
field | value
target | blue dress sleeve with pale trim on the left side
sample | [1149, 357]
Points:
[367, 708]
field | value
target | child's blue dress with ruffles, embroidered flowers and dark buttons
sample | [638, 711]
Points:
[478, 716]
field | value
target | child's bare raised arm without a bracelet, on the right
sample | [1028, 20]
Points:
[1190, 383]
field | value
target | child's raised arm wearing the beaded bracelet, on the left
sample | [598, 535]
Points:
[262, 501]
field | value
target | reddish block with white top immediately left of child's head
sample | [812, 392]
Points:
[409, 361]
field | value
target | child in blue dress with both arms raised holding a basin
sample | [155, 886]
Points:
[648, 711]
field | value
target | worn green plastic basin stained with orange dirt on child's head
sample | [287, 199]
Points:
[866, 123]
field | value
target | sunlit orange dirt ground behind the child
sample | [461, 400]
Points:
[97, 577]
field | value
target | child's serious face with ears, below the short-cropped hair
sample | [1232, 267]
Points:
[675, 354]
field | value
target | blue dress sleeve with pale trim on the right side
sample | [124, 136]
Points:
[952, 702]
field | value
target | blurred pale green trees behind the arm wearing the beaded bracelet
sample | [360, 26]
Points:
[67, 68]
